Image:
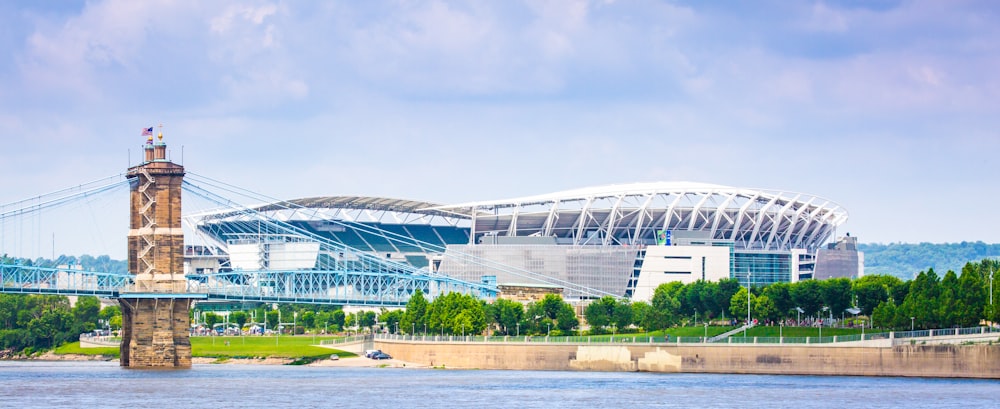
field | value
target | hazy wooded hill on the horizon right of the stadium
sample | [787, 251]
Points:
[905, 260]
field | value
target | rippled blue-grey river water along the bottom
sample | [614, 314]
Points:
[106, 385]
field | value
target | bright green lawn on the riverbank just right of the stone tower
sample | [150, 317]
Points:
[299, 347]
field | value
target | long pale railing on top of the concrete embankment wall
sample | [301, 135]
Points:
[635, 339]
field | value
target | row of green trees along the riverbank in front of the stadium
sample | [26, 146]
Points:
[39, 322]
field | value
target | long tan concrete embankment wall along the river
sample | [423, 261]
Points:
[946, 361]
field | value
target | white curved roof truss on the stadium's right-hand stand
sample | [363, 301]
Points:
[752, 219]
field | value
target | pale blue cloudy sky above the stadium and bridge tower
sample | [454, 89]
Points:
[891, 109]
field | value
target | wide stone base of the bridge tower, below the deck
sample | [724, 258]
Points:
[155, 332]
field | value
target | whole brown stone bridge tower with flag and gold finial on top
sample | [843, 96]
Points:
[155, 320]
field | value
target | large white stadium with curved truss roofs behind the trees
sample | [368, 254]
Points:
[621, 240]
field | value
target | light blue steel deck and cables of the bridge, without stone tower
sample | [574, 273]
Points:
[341, 274]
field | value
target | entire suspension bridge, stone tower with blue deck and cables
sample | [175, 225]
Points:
[156, 295]
